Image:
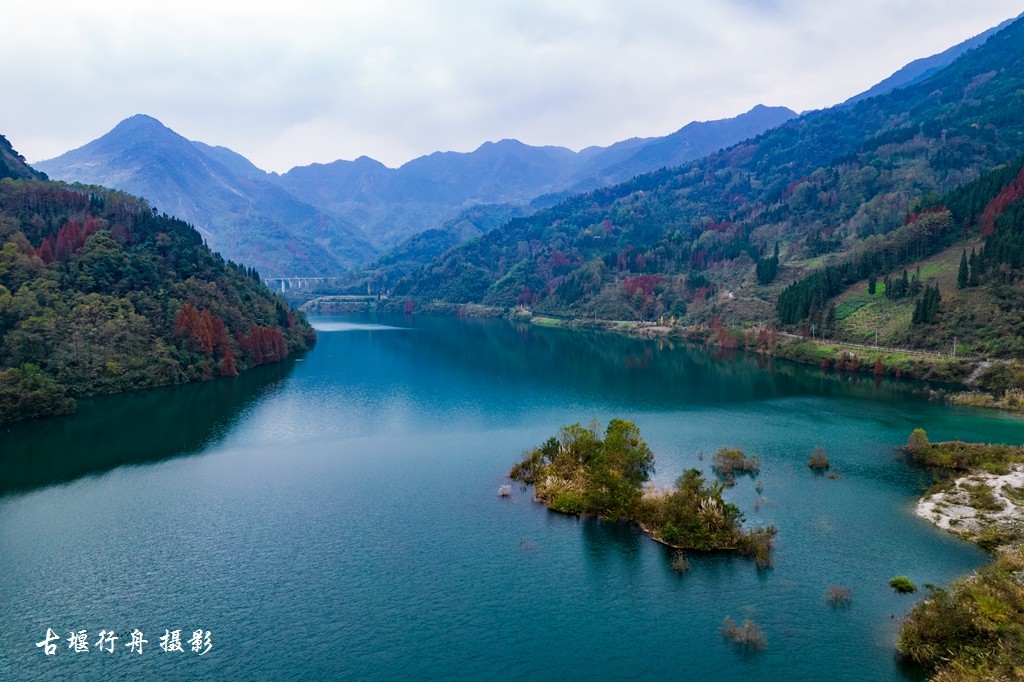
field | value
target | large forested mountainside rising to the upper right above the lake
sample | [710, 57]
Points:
[864, 183]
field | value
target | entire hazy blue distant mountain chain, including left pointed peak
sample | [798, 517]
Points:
[329, 219]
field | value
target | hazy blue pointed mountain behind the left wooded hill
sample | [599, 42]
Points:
[229, 200]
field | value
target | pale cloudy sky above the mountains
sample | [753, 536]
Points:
[292, 83]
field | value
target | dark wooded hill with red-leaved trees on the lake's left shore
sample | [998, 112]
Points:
[99, 294]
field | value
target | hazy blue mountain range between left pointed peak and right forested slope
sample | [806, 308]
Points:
[393, 205]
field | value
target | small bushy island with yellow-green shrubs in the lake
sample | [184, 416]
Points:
[580, 474]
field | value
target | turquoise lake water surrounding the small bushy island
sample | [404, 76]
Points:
[337, 518]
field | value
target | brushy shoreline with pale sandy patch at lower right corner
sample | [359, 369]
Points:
[975, 631]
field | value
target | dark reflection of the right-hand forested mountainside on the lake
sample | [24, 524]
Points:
[652, 372]
